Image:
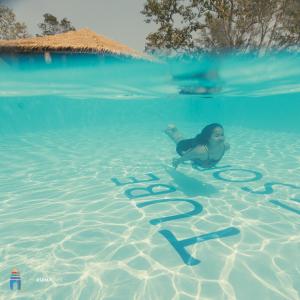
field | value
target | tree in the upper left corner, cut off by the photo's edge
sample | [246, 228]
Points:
[9, 27]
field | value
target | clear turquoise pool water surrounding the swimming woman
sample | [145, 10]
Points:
[92, 209]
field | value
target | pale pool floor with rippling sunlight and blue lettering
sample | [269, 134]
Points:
[73, 232]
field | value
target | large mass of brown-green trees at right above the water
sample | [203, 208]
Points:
[215, 25]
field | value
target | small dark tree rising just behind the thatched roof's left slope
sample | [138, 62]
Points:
[51, 25]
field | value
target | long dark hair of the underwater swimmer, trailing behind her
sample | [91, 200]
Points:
[200, 139]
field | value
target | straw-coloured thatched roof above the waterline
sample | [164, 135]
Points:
[79, 41]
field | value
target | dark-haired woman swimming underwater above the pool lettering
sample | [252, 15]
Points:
[205, 150]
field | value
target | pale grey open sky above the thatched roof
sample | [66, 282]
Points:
[119, 20]
